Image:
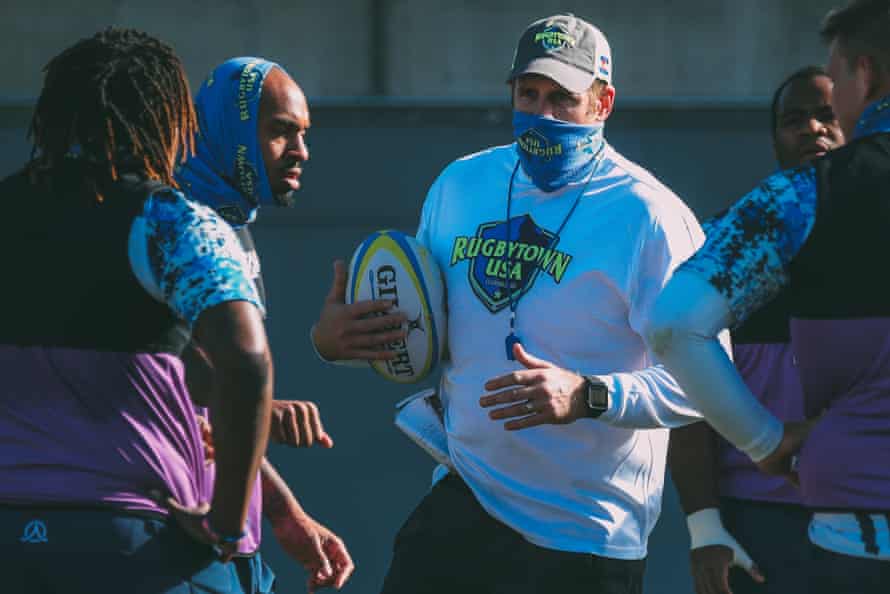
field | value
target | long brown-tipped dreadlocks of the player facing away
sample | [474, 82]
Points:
[118, 101]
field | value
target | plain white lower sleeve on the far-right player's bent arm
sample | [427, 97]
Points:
[686, 319]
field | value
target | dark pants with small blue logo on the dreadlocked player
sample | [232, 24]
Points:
[92, 551]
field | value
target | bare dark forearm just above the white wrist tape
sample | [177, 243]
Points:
[693, 466]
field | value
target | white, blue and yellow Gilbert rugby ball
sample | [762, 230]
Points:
[392, 265]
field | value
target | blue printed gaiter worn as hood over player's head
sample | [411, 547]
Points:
[227, 171]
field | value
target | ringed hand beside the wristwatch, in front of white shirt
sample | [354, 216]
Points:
[542, 393]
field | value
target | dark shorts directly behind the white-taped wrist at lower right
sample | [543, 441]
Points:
[775, 535]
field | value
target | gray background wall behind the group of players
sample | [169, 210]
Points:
[398, 90]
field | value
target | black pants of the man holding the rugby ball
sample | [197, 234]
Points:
[450, 544]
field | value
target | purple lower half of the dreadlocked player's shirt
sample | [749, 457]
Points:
[88, 428]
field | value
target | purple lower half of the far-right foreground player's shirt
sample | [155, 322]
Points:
[843, 463]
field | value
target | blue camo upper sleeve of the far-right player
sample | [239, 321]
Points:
[750, 245]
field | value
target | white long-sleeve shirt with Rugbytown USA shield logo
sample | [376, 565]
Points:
[592, 486]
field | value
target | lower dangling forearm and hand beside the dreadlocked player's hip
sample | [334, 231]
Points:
[321, 552]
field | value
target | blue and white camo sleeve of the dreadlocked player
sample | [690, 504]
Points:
[194, 256]
